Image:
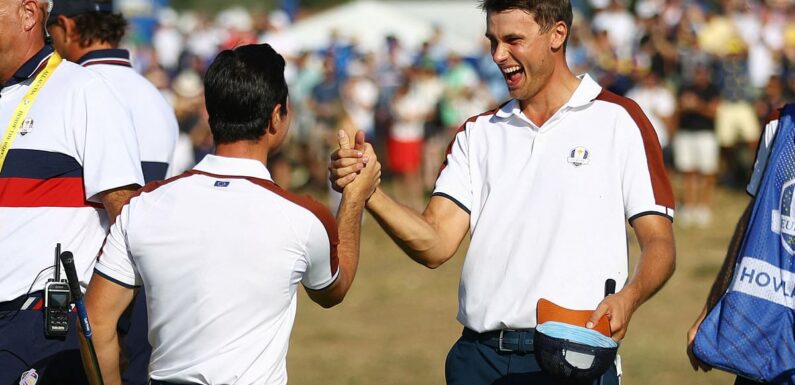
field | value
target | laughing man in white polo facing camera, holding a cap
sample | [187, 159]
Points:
[544, 185]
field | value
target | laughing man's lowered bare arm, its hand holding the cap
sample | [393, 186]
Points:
[655, 265]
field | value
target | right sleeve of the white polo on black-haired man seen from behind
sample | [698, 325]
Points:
[321, 255]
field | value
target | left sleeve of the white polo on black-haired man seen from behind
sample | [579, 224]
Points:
[115, 263]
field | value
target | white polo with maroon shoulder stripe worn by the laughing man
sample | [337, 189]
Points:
[548, 204]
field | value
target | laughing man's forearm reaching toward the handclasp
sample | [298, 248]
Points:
[410, 230]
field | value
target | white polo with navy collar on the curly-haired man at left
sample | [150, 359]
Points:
[153, 118]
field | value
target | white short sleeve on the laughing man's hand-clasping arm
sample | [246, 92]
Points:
[454, 181]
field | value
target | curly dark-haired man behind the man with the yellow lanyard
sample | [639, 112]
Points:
[87, 32]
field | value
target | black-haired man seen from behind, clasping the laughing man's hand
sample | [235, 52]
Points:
[221, 249]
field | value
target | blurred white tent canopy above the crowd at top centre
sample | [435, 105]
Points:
[367, 23]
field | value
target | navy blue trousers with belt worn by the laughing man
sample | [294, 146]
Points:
[470, 362]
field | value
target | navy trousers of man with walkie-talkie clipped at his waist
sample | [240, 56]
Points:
[23, 347]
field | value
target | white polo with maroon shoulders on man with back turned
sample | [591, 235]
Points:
[220, 251]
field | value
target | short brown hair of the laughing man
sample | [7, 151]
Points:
[545, 12]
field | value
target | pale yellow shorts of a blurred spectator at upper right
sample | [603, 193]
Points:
[735, 122]
